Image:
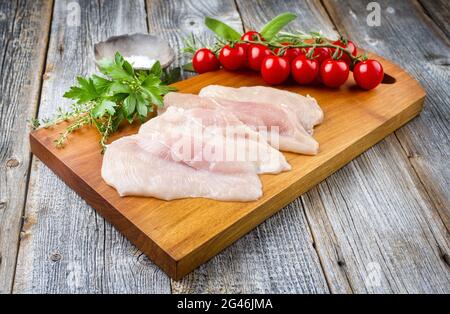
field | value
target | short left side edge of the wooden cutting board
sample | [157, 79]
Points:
[104, 208]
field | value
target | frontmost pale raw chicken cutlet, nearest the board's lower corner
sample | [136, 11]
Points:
[143, 166]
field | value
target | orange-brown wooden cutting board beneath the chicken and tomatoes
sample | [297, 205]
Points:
[180, 235]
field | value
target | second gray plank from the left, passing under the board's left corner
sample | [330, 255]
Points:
[66, 247]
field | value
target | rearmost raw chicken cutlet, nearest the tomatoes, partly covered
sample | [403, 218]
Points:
[306, 108]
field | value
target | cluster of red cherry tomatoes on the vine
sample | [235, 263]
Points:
[276, 66]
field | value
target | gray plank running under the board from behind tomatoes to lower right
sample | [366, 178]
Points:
[383, 227]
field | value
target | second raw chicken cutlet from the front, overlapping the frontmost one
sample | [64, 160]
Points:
[222, 139]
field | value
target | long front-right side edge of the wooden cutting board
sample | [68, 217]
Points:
[234, 232]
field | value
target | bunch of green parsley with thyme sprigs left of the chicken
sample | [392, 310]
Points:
[123, 94]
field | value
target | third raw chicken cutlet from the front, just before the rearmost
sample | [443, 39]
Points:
[266, 119]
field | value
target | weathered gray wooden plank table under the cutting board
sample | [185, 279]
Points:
[381, 224]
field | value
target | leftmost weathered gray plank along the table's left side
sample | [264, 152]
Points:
[24, 27]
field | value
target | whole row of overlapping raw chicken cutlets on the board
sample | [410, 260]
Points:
[212, 147]
